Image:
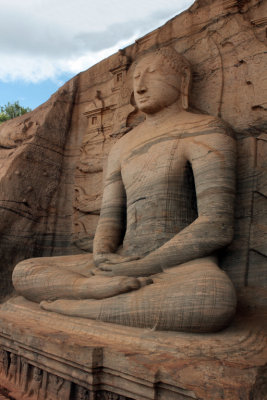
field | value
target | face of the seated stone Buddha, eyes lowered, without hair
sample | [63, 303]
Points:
[156, 85]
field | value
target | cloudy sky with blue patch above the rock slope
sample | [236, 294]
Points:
[44, 43]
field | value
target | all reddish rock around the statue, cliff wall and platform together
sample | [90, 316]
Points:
[52, 165]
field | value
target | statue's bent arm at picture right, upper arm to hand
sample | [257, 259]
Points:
[212, 157]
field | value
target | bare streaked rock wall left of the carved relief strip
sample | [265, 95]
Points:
[32, 149]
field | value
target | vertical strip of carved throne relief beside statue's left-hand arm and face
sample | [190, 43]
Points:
[107, 120]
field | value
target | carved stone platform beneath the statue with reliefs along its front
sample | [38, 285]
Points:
[48, 356]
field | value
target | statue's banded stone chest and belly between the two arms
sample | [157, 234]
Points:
[160, 191]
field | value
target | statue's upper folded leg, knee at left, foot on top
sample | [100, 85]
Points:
[68, 277]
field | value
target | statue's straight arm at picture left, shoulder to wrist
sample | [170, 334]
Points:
[111, 223]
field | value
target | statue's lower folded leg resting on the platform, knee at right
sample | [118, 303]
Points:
[193, 297]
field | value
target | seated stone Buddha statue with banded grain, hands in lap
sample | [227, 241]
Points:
[168, 207]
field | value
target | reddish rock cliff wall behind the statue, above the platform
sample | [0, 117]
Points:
[52, 160]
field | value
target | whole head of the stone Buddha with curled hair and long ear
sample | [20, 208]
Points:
[161, 79]
